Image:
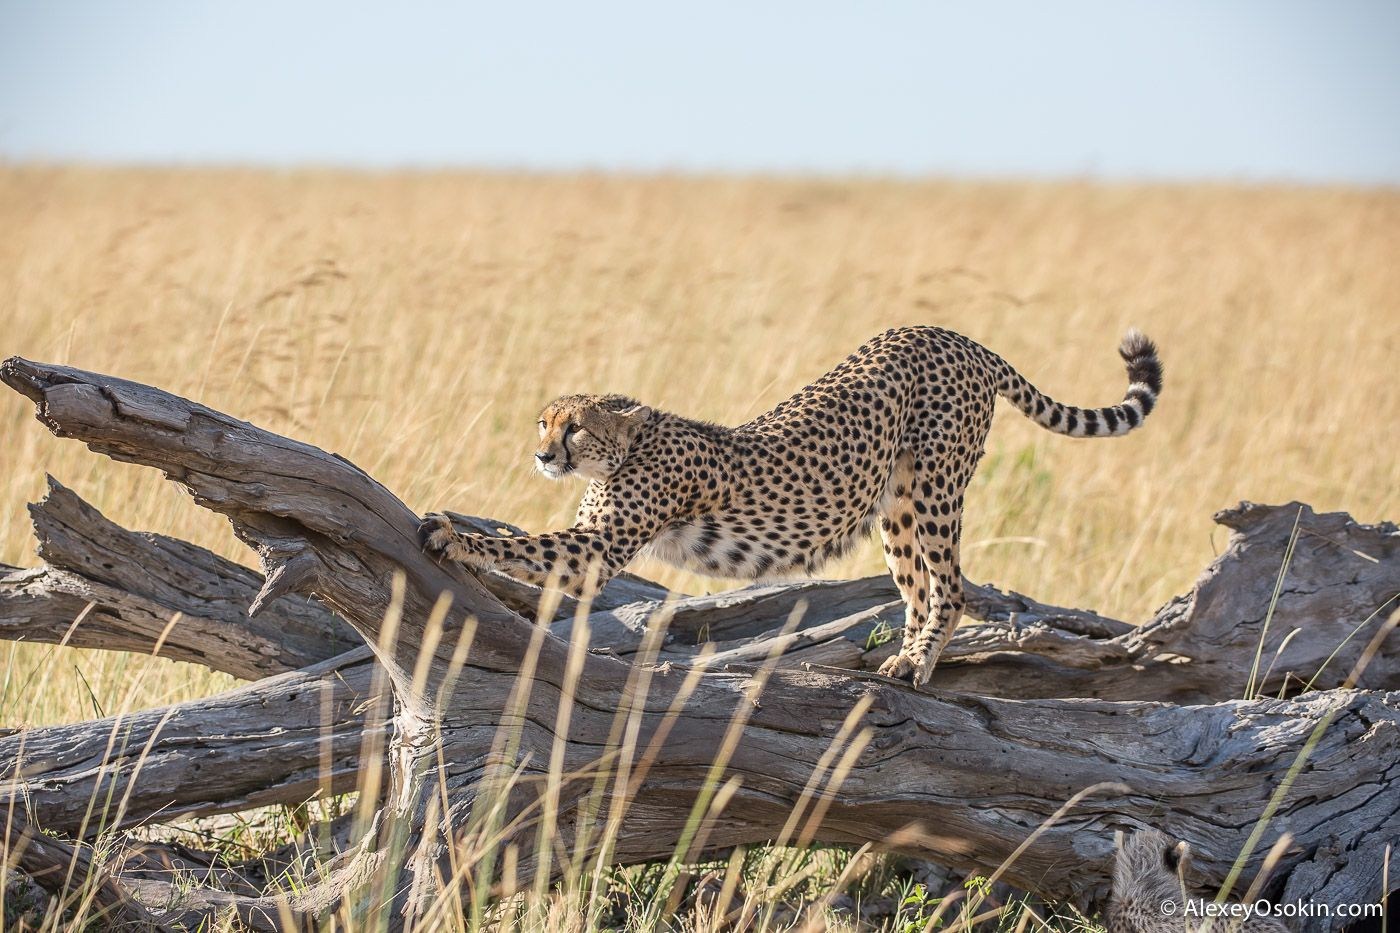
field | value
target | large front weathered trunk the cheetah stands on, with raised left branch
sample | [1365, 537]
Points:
[985, 771]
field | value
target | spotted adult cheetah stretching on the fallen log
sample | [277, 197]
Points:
[891, 436]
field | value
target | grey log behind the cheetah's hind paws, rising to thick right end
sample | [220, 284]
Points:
[1340, 585]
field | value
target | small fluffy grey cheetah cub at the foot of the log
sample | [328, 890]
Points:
[1149, 872]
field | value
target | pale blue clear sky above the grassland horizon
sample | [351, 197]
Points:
[1115, 89]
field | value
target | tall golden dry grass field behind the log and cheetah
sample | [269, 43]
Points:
[416, 323]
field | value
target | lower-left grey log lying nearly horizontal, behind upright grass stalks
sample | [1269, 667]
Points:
[286, 739]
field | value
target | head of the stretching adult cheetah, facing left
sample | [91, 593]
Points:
[587, 435]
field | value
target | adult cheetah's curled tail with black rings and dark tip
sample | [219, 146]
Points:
[1144, 387]
